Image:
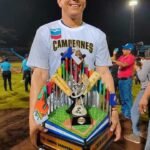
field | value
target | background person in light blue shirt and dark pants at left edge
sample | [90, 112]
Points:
[6, 73]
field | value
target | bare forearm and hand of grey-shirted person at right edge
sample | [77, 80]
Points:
[144, 100]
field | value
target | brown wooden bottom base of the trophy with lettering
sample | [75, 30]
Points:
[51, 141]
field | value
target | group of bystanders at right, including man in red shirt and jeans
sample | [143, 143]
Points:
[128, 67]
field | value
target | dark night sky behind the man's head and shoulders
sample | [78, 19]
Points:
[19, 20]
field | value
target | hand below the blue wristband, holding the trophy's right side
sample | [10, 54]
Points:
[115, 127]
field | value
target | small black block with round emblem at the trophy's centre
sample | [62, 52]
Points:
[81, 120]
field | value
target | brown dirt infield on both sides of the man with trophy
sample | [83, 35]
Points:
[14, 132]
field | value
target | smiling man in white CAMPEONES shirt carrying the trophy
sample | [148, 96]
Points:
[53, 39]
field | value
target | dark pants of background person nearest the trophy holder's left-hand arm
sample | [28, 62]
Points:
[27, 79]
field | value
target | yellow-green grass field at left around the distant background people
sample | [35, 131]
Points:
[17, 98]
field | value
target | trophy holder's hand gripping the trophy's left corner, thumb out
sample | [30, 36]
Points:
[34, 129]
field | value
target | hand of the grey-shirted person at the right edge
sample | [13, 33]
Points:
[143, 105]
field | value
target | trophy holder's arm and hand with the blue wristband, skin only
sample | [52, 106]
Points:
[108, 80]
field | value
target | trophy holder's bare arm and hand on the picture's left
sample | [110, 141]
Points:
[39, 78]
